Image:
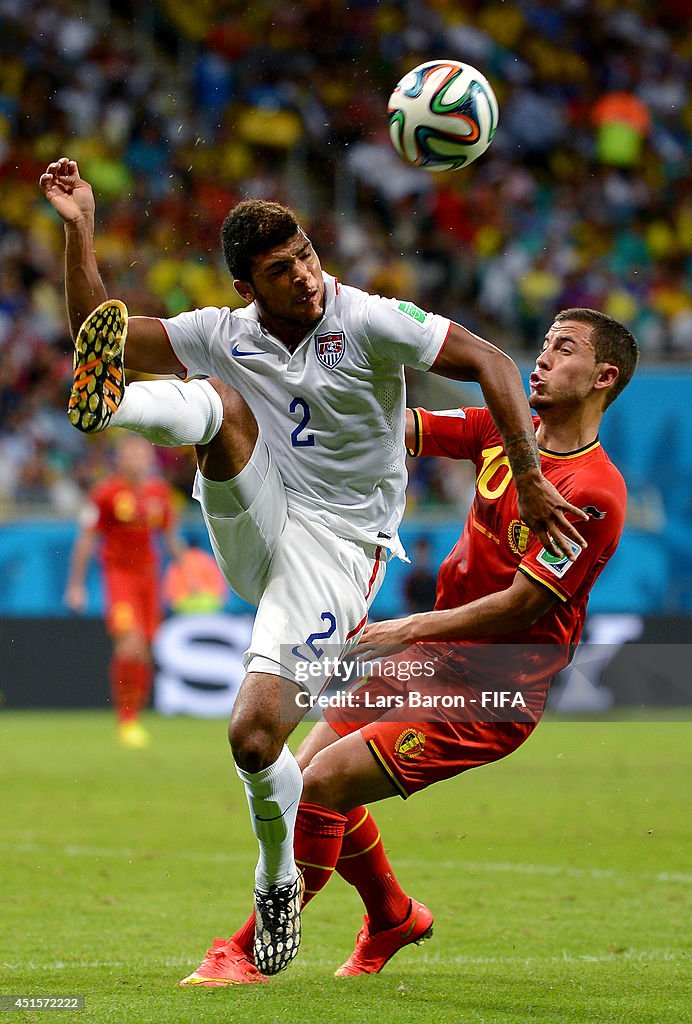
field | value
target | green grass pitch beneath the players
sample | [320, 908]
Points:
[557, 878]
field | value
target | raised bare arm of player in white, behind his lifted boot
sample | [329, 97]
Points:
[148, 348]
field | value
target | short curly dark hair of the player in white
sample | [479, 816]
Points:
[251, 229]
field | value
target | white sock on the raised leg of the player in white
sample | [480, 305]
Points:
[171, 413]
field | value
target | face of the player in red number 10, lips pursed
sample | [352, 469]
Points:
[567, 369]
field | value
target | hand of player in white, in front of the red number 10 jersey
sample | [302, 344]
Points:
[545, 511]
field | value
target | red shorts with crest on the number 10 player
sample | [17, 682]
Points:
[419, 747]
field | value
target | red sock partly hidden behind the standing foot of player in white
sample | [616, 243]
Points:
[318, 843]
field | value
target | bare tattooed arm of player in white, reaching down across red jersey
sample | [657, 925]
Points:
[466, 357]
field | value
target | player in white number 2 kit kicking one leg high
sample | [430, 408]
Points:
[299, 429]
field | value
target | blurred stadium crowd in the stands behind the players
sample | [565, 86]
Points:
[176, 111]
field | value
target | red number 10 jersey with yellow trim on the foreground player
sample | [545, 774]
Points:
[496, 544]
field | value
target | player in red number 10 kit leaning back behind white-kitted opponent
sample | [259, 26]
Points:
[507, 618]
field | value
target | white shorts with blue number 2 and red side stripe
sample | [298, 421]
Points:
[313, 589]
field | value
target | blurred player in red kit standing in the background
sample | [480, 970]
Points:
[125, 513]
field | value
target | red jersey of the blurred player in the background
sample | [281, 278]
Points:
[127, 519]
